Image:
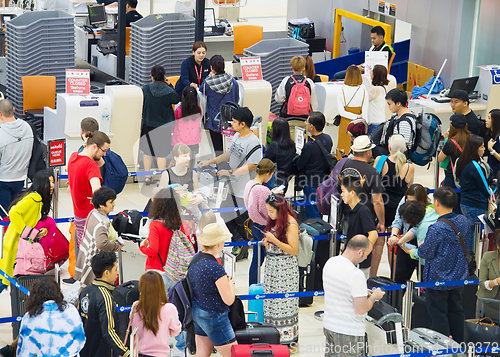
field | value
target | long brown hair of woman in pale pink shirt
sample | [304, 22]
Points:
[151, 299]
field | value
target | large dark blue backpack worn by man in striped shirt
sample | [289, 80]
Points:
[427, 138]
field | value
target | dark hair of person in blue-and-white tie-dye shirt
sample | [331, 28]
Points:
[44, 289]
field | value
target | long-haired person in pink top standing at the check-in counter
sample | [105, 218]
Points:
[187, 129]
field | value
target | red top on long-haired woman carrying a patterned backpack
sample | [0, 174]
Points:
[159, 242]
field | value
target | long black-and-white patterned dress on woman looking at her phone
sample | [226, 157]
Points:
[281, 275]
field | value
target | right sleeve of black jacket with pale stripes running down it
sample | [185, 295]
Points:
[106, 309]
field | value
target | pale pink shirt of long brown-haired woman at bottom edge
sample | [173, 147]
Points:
[169, 325]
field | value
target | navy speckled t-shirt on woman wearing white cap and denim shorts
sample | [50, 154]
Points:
[203, 274]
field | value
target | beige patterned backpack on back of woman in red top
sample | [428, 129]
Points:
[180, 254]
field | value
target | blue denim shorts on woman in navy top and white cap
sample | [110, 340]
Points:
[213, 325]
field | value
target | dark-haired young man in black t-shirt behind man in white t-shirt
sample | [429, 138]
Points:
[360, 219]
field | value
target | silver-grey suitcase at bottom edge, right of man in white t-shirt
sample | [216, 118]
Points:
[428, 340]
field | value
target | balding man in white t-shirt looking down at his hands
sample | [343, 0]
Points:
[347, 300]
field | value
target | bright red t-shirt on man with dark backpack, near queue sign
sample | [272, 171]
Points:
[81, 169]
